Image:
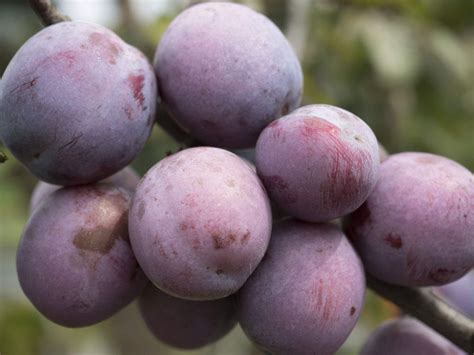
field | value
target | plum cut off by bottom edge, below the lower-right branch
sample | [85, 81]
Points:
[407, 336]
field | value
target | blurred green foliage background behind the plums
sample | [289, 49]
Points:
[405, 67]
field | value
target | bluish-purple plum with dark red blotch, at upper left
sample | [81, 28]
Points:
[77, 103]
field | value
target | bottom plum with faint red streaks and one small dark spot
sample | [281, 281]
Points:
[306, 295]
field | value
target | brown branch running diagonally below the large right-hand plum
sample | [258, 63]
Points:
[431, 310]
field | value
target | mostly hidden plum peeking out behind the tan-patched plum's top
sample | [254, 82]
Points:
[126, 178]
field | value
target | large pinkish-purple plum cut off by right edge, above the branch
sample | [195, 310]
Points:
[417, 226]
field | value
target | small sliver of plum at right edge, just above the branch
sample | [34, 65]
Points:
[459, 294]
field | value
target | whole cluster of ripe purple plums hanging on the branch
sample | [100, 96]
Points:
[194, 239]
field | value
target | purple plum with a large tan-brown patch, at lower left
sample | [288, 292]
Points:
[74, 260]
